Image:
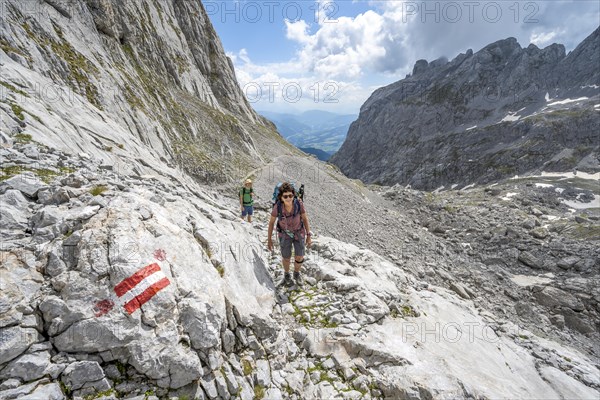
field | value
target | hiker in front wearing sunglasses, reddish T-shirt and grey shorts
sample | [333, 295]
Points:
[292, 229]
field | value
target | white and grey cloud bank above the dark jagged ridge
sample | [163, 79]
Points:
[382, 44]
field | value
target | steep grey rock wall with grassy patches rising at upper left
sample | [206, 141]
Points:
[122, 77]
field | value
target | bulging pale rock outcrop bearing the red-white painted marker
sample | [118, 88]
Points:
[71, 304]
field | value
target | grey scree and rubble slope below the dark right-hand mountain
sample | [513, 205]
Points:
[512, 248]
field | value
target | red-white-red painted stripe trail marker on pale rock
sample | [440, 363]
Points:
[135, 291]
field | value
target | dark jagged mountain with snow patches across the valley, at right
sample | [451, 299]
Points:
[502, 111]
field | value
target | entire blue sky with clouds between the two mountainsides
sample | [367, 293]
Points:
[292, 56]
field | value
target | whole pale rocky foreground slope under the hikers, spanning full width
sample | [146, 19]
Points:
[219, 329]
